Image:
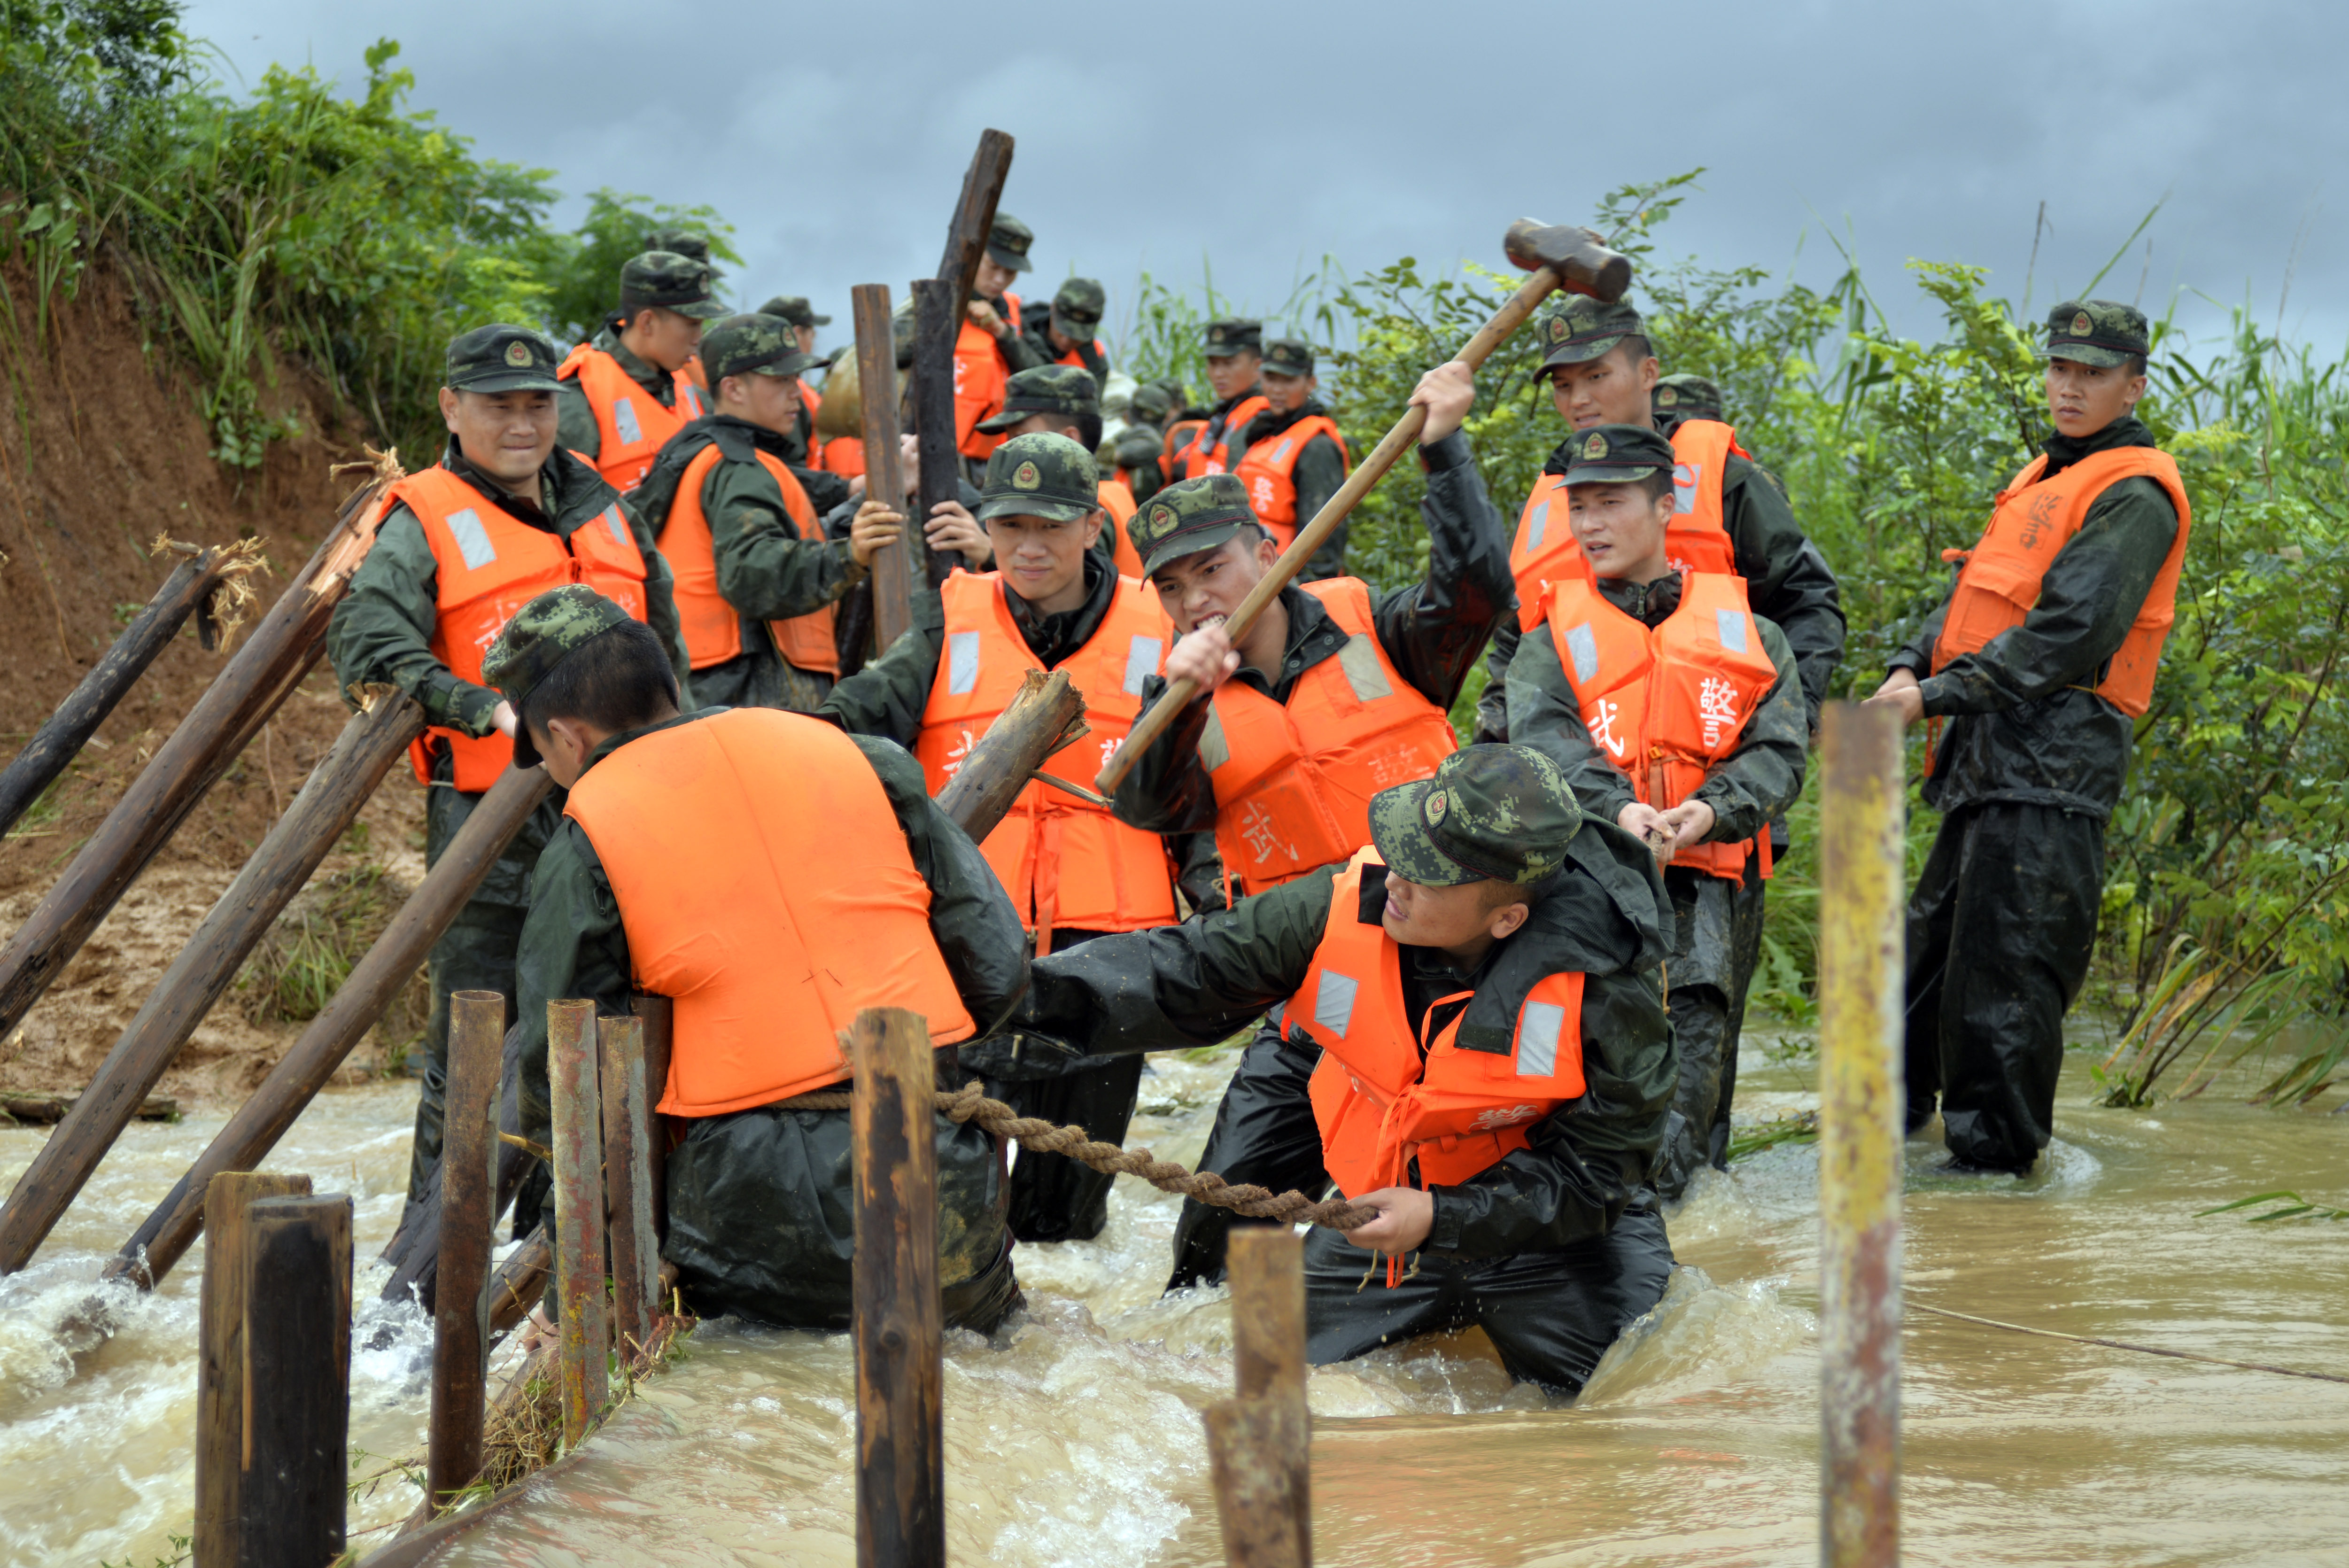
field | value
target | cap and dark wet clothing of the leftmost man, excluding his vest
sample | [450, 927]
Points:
[384, 631]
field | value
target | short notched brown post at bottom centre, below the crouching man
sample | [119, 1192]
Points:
[1260, 1445]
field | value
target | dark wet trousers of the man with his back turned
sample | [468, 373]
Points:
[762, 1221]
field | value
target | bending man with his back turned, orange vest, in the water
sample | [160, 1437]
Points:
[758, 1198]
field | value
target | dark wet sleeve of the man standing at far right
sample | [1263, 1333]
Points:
[2087, 603]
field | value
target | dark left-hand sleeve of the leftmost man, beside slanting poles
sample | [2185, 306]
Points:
[384, 631]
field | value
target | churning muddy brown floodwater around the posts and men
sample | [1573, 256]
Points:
[1077, 1440]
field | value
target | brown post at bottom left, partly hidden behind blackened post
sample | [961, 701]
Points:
[220, 1372]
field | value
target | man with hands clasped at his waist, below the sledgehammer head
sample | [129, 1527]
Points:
[1631, 469]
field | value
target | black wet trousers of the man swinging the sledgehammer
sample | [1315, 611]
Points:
[1263, 1134]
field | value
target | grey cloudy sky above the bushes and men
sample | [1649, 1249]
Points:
[1270, 135]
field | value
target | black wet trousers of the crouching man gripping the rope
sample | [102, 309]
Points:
[1552, 1315]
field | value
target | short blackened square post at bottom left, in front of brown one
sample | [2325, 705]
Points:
[297, 1383]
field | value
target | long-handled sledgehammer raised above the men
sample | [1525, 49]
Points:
[1559, 257]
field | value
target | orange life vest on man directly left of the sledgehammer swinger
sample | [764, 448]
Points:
[1063, 859]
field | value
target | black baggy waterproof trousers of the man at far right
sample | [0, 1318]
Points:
[1998, 946]
